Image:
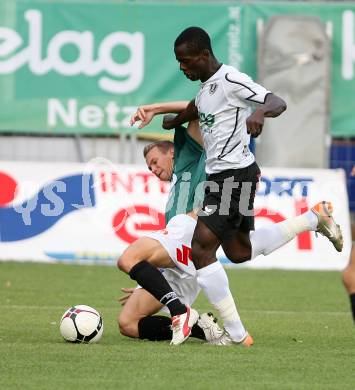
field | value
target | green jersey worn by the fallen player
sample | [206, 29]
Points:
[186, 191]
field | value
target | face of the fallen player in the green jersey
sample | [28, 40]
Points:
[160, 163]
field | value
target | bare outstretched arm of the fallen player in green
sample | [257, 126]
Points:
[145, 113]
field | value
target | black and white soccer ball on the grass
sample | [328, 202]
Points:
[81, 324]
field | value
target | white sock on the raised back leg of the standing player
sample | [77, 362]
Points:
[269, 238]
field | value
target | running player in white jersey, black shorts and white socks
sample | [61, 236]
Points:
[223, 107]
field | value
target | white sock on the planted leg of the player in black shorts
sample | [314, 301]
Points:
[213, 281]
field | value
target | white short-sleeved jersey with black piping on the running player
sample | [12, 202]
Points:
[224, 103]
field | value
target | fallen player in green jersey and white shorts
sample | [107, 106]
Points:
[170, 249]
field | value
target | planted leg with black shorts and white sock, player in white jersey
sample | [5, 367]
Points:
[223, 195]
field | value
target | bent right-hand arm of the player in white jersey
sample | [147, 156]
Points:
[273, 107]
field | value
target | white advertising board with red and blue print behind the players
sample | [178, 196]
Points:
[91, 212]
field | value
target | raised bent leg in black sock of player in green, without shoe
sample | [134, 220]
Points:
[140, 260]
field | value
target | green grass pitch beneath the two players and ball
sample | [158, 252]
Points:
[301, 323]
